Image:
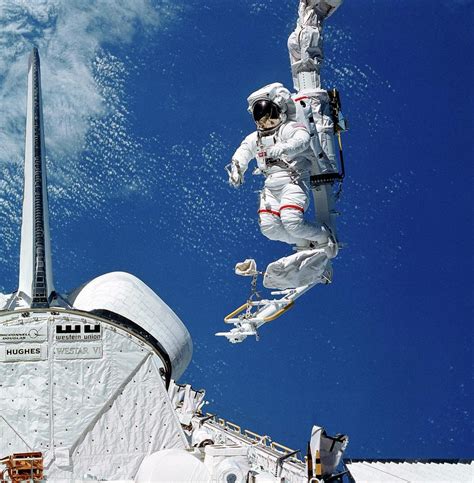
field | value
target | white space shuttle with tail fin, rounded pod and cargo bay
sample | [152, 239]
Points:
[87, 386]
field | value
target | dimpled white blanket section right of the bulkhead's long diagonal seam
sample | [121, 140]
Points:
[126, 428]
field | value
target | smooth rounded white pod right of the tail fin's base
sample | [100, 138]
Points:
[128, 296]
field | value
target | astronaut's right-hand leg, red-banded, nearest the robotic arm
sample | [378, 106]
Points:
[294, 202]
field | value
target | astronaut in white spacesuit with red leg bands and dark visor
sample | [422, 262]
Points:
[282, 149]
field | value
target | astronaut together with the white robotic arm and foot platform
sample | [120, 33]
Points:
[294, 146]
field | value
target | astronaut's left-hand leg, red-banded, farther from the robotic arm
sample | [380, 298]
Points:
[269, 218]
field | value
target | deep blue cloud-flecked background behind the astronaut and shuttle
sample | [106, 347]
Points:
[143, 114]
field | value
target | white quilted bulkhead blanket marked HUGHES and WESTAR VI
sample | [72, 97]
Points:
[88, 395]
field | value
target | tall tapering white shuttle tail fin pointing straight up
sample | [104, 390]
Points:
[36, 288]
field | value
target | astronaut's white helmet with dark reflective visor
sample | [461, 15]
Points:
[269, 106]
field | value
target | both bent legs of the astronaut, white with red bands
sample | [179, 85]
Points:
[282, 215]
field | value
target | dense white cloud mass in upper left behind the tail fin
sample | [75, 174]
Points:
[69, 34]
